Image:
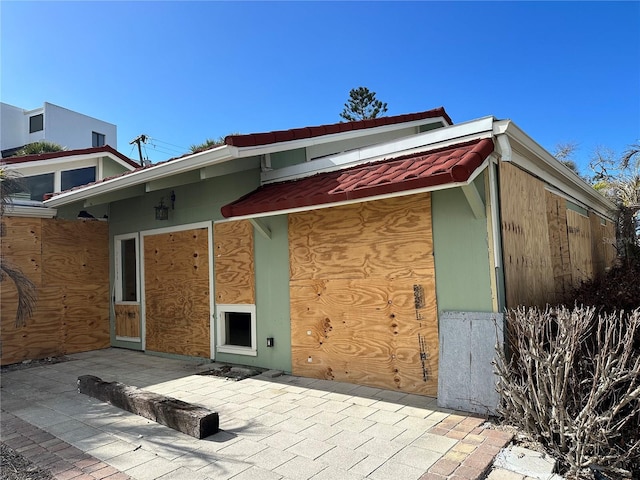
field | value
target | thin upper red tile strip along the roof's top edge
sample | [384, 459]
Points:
[256, 139]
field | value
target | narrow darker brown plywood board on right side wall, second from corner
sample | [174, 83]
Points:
[559, 243]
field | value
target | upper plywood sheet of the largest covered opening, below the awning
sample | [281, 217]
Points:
[384, 239]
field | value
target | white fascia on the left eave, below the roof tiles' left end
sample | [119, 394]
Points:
[155, 172]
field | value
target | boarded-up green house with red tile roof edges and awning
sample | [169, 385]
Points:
[346, 251]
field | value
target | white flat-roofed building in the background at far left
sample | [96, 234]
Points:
[72, 130]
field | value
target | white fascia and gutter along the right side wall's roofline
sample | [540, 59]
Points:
[550, 170]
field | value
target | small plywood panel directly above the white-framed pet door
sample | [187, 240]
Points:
[234, 263]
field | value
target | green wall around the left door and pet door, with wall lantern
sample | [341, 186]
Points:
[201, 202]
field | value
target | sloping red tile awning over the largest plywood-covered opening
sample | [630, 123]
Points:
[437, 167]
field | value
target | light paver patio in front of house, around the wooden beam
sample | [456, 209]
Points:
[272, 428]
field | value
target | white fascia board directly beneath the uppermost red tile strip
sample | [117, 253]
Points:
[335, 137]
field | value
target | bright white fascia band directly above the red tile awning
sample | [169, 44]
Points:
[439, 138]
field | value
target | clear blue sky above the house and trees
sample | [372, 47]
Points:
[181, 72]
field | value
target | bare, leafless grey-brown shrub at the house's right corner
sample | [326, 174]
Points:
[572, 382]
